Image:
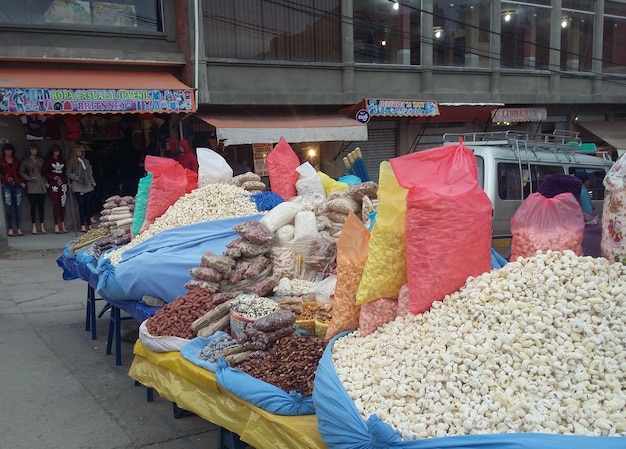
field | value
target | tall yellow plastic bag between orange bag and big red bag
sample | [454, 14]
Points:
[385, 271]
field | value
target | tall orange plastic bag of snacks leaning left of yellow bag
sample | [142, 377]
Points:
[351, 258]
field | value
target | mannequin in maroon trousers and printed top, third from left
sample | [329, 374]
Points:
[54, 171]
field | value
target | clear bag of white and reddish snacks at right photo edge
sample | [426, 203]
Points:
[613, 244]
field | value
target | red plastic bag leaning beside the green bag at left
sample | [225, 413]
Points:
[169, 182]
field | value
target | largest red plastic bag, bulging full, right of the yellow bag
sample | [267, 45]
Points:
[448, 222]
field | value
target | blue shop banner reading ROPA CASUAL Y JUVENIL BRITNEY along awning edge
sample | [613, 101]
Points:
[94, 100]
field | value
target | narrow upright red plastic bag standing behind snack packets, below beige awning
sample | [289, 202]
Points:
[282, 163]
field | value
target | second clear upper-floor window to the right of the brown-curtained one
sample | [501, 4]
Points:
[461, 33]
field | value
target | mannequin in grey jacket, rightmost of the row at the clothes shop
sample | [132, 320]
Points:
[83, 184]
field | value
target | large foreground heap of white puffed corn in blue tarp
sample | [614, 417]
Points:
[531, 354]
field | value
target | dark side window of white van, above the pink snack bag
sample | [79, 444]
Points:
[512, 183]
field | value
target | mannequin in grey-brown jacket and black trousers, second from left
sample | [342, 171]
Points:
[36, 185]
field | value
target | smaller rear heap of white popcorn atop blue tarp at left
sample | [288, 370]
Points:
[209, 203]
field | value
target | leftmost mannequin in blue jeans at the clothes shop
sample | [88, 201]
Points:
[12, 185]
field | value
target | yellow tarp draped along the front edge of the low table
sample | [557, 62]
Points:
[195, 389]
